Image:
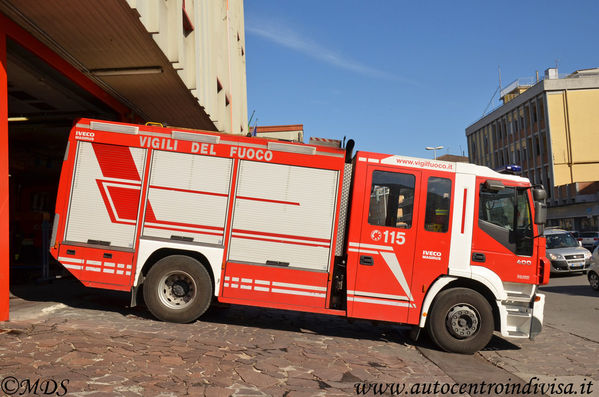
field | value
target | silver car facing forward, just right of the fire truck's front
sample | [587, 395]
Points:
[565, 253]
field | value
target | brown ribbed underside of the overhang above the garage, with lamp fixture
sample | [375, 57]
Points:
[108, 43]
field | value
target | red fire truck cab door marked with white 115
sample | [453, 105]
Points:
[385, 252]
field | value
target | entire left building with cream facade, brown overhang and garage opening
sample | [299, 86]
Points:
[176, 61]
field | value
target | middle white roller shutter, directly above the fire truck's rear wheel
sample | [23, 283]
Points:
[188, 197]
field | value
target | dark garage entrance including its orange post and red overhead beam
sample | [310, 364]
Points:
[41, 95]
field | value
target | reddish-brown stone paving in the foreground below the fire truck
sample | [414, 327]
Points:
[239, 351]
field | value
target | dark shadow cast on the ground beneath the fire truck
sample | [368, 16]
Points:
[72, 293]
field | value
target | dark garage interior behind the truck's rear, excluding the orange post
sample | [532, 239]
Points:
[42, 105]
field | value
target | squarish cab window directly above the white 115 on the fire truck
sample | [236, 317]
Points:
[391, 199]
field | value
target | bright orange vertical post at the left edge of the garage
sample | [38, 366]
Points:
[4, 236]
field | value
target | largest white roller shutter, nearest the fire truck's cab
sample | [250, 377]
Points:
[284, 215]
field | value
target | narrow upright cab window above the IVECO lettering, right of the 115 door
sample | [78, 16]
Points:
[438, 198]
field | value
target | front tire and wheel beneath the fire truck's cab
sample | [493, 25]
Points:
[461, 321]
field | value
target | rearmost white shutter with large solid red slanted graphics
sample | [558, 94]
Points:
[105, 194]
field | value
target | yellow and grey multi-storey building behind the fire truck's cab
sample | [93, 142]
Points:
[549, 128]
